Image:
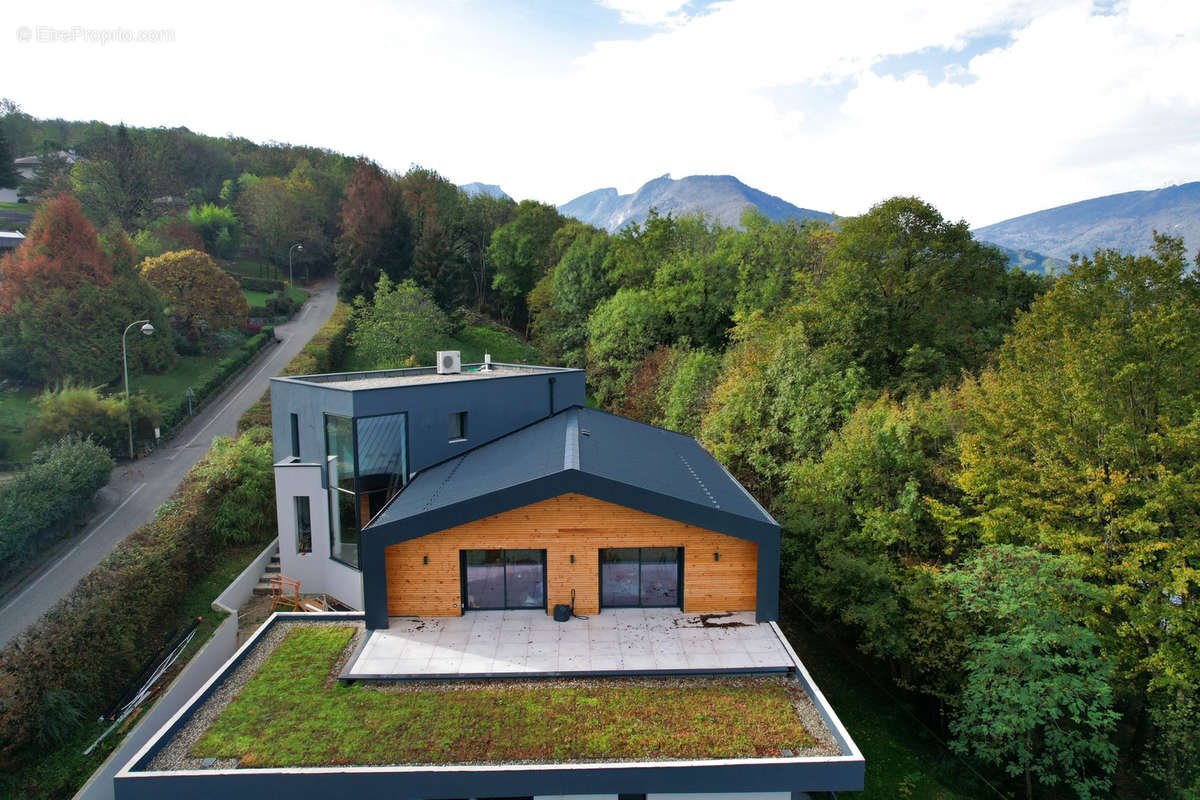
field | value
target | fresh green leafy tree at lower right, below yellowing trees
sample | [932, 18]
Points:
[1037, 701]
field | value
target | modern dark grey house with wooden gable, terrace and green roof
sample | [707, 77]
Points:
[496, 533]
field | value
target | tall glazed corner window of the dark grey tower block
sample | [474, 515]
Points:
[368, 466]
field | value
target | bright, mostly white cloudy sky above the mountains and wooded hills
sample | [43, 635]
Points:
[987, 110]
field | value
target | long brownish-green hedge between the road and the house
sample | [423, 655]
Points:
[94, 640]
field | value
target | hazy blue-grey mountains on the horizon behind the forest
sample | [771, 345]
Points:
[1042, 242]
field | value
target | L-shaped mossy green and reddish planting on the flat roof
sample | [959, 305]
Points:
[290, 714]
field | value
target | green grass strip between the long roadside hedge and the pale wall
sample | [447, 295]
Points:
[59, 772]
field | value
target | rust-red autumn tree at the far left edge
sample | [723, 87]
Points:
[62, 252]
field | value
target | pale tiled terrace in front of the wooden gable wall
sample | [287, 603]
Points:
[531, 643]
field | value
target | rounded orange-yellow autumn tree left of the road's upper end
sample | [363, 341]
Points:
[197, 291]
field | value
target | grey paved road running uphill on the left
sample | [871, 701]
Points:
[137, 490]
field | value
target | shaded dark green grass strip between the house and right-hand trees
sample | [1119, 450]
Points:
[904, 760]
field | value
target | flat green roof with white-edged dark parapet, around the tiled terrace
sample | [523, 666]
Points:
[417, 739]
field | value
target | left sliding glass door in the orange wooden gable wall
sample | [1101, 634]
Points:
[503, 580]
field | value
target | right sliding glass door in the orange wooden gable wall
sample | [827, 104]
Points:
[649, 578]
